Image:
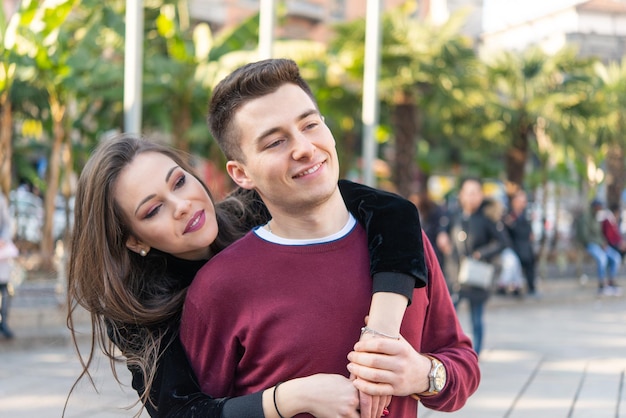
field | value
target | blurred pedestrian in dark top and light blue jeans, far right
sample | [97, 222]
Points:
[588, 233]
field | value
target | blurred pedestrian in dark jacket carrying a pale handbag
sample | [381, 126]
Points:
[474, 235]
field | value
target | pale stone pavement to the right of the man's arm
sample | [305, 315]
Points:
[547, 360]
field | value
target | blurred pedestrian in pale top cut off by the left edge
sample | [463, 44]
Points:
[8, 251]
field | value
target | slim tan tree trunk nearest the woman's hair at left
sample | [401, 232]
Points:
[47, 239]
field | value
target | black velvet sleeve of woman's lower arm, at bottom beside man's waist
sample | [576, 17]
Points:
[176, 392]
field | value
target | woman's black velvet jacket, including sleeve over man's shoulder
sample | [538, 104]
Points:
[397, 265]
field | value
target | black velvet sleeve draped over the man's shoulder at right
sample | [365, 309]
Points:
[394, 235]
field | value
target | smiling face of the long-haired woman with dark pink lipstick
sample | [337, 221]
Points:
[167, 208]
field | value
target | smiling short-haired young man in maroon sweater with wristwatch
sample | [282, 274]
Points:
[289, 299]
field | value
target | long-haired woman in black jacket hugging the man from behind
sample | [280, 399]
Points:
[130, 266]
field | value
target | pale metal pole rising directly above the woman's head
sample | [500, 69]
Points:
[133, 66]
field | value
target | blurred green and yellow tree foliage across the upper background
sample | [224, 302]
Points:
[468, 111]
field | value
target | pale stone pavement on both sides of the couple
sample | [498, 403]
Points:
[561, 355]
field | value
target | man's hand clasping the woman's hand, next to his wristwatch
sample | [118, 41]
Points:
[385, 366]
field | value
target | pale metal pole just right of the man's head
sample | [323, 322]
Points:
[371, 72]
